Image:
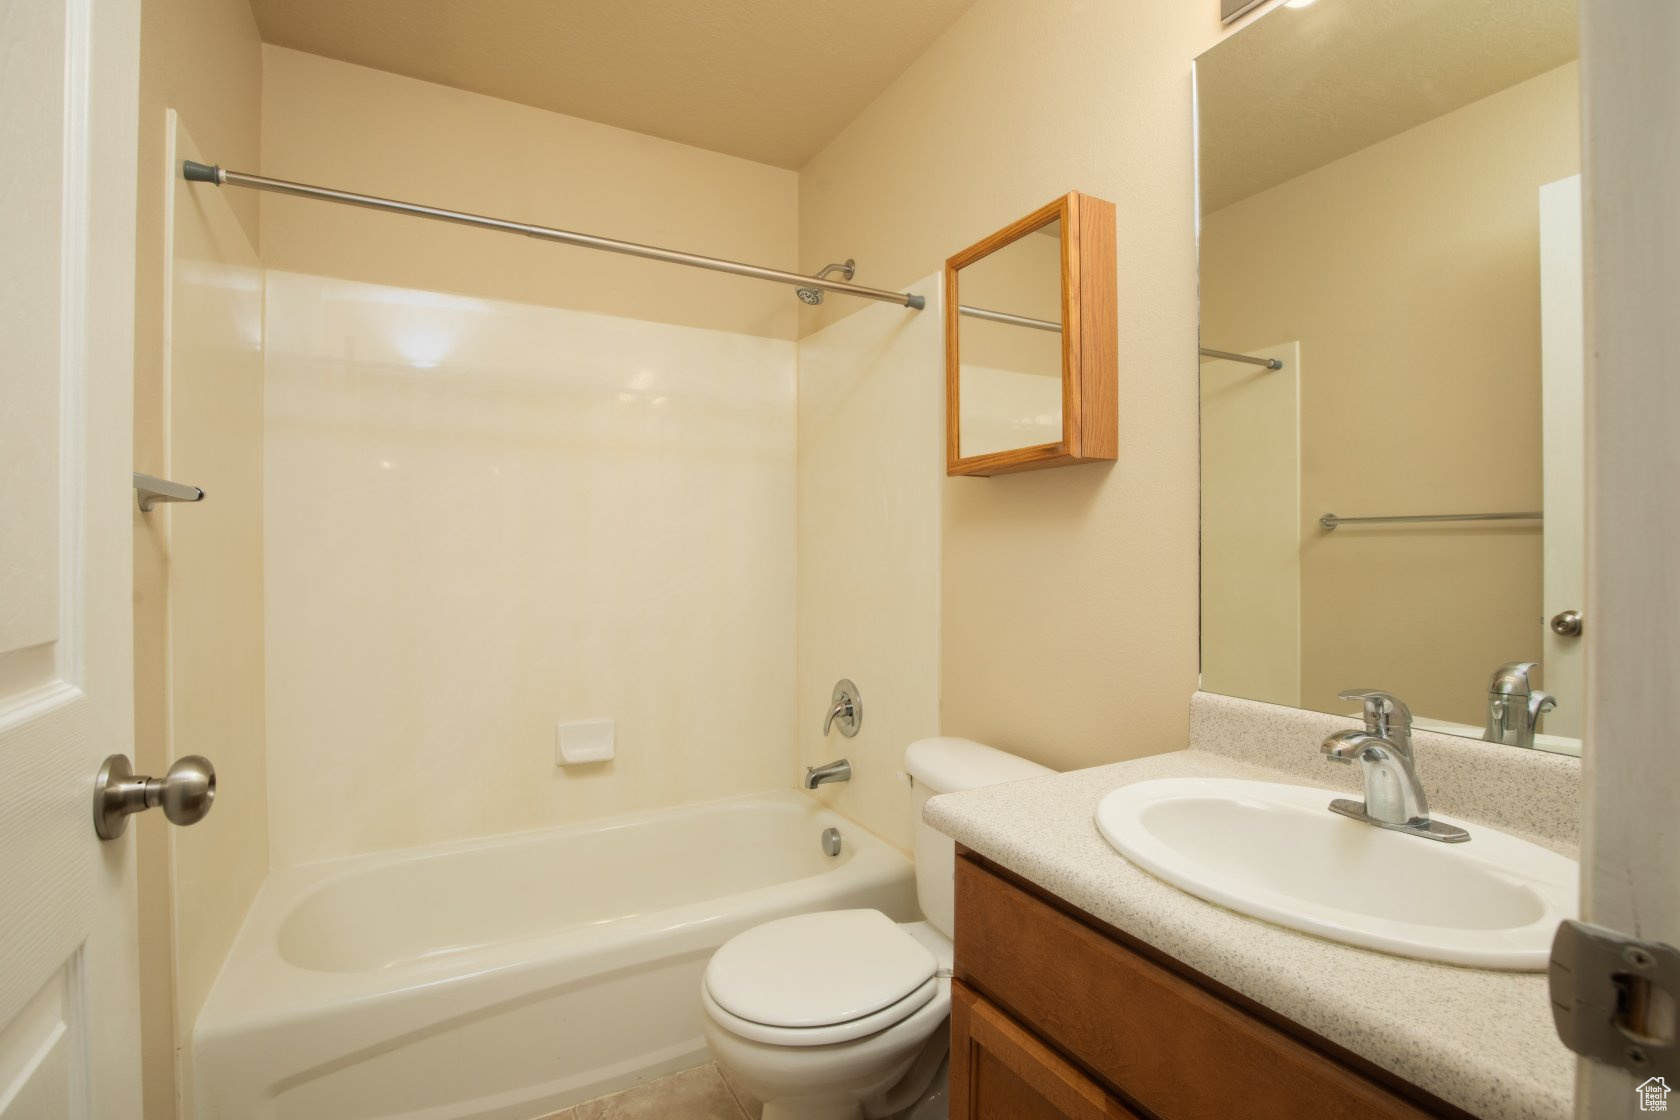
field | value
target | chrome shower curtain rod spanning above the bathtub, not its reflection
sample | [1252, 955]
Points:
[221, 177]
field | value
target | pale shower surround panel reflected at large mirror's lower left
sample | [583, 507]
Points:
[1251, 528]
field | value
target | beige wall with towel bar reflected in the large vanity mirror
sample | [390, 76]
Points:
[1410, 276]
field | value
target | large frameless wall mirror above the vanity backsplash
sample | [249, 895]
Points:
[1392, 362]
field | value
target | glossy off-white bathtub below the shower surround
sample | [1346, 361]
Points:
[508, 978]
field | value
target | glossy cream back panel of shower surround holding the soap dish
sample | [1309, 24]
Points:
[486, 518]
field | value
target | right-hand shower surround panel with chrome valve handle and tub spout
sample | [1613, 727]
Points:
[869, 548]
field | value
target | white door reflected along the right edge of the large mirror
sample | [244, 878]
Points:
[1563, 404]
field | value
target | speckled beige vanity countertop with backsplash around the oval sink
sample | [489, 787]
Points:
[1476, 1039]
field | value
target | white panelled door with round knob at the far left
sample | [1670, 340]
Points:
[70, 1037]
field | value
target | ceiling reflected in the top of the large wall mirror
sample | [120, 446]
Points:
[1305, 86]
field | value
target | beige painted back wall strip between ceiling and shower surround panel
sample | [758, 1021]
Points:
[360, 130]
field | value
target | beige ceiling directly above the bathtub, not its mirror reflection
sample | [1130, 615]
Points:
[764, 80]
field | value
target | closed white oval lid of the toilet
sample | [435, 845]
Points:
[817, 970]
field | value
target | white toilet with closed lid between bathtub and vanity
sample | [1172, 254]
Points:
[843, 1015]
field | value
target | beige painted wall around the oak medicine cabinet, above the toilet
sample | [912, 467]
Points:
[1069, 597]
